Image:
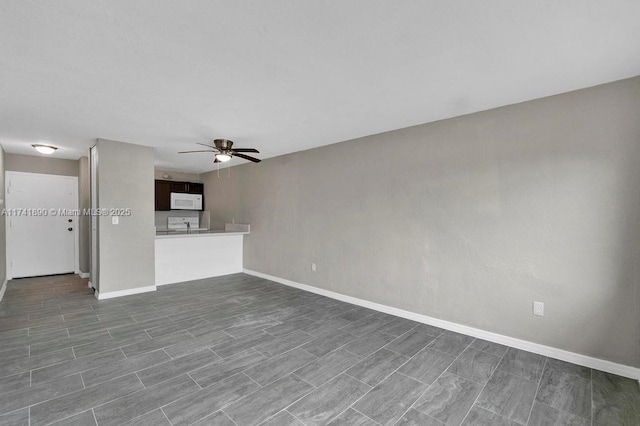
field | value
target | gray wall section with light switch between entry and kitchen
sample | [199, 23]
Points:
[127, 250]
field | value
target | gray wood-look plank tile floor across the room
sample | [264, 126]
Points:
[240, 350]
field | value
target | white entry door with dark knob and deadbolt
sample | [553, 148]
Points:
[41, 225]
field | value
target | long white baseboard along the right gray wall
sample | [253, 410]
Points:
[561, 354]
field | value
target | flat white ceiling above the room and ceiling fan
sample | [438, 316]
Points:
[284, 76]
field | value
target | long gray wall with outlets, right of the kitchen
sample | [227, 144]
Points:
[469, 219]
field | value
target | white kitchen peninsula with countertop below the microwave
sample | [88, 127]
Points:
[186, 256]
